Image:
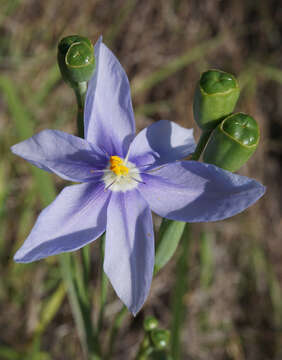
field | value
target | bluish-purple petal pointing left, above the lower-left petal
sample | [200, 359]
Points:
[66, 155]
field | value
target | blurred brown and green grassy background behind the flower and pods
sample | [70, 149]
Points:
[232, 294]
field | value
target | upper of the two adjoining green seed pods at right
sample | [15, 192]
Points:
[215, 97]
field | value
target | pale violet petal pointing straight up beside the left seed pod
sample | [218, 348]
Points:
[108, 118]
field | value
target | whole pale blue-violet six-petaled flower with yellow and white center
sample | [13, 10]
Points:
[122, 179]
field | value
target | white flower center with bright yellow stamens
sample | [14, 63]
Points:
[121, 175]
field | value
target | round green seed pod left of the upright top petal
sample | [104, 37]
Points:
[76, 59]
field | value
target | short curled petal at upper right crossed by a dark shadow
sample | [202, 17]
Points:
[166, 141]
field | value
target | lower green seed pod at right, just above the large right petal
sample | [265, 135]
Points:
[233, 142]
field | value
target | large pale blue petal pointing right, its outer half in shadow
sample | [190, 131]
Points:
[192, 191]
